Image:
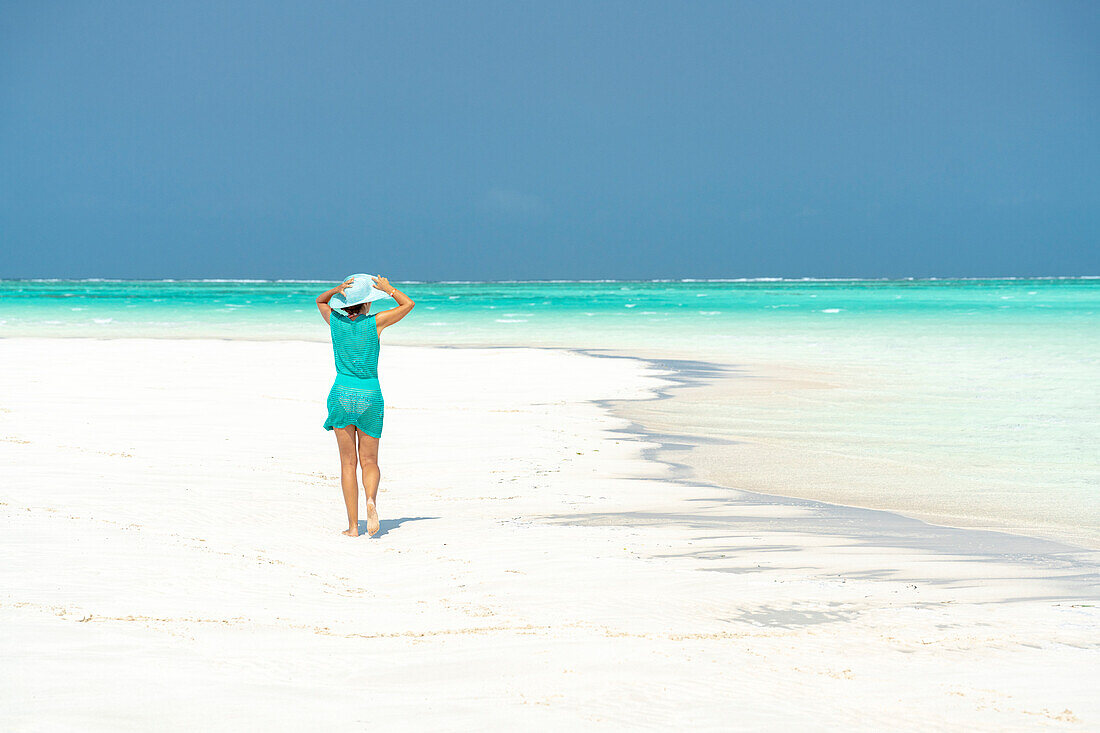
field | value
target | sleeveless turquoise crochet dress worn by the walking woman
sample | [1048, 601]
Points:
[356, 398]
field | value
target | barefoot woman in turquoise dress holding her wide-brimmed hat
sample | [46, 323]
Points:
[356, 406]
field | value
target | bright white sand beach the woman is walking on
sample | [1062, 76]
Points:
[173, 561]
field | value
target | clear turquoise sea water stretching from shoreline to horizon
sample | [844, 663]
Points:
[971, 402]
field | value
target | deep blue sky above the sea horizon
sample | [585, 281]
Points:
[549, 140]
